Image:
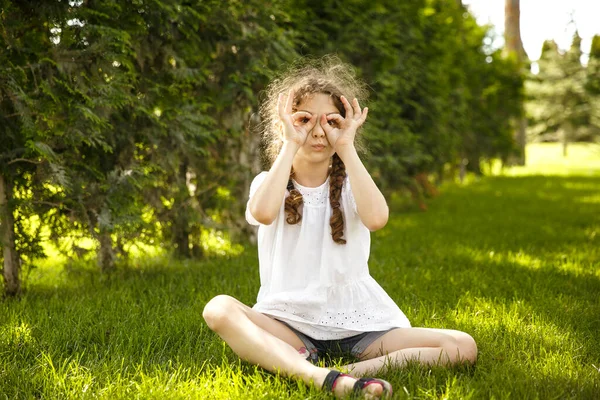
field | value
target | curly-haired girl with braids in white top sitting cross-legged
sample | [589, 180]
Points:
[315, 209]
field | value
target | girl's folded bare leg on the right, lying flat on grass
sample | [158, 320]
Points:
[427, 346]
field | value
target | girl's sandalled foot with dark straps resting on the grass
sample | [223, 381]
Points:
[343, 385]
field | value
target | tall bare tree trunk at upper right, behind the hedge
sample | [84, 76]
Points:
[514, 46]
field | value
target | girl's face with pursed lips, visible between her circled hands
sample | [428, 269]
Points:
[317, 148]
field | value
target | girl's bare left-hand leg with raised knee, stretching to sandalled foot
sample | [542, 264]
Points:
[270, 344]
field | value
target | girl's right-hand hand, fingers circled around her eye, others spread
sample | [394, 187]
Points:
[340, 130]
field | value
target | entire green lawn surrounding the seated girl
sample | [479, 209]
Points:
[513, 259]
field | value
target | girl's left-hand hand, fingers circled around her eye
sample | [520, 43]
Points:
[296, 126]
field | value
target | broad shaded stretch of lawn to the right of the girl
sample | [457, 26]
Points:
[503, 237]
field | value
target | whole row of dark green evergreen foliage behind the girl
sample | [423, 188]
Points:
[132, 121]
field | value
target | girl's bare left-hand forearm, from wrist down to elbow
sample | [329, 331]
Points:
[266, 202]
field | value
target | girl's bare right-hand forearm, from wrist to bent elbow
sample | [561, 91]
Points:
[370, 203]
